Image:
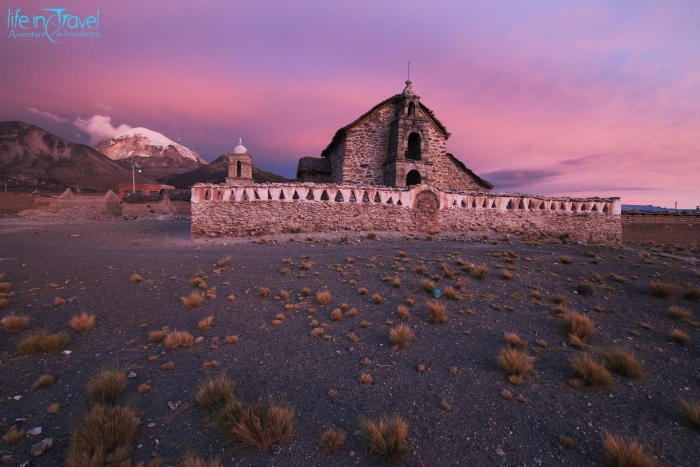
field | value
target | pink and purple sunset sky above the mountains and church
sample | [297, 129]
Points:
[543, 97]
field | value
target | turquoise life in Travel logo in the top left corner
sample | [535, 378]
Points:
[53, 25]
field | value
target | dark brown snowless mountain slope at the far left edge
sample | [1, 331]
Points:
[31, 156]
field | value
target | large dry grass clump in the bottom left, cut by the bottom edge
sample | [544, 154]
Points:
[103, 436]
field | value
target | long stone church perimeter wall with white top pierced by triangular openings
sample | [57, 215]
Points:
[266, 209]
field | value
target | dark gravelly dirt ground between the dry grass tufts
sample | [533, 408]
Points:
[93, 261]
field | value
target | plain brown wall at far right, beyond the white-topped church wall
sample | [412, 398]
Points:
[680, 229]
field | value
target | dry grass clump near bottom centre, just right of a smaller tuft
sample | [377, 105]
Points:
[387, 436]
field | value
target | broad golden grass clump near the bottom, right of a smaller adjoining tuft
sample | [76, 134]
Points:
[260, 425]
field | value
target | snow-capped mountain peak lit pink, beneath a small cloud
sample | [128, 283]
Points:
[153, 153]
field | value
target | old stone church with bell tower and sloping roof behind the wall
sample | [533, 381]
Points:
[397, 143]
